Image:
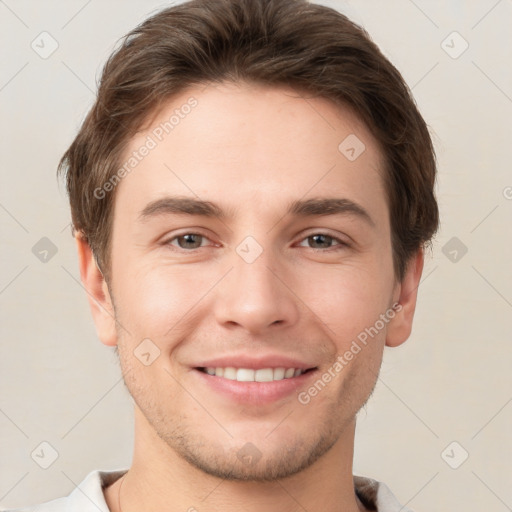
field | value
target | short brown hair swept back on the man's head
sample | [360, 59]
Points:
[309, 47]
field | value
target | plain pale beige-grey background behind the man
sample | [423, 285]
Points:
[450, 382]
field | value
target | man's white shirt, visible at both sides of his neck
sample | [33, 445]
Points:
[88, 495]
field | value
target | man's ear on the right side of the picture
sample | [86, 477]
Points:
[399, 329]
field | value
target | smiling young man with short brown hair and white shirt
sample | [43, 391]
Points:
[252, 194]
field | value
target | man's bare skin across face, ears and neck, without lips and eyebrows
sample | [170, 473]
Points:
[251, 150]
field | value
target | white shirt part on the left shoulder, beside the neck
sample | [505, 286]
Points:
[86, 497]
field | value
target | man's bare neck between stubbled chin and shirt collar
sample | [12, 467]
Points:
[159, 480]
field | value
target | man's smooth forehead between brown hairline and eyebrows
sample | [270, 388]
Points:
[241, 144]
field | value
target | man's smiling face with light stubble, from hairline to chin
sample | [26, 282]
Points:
[258, 288]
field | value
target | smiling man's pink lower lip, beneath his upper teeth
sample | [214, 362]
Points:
[256, 393]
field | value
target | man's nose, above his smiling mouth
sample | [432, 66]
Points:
[256, 296]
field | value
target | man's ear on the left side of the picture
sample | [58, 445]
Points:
[98, 294]
